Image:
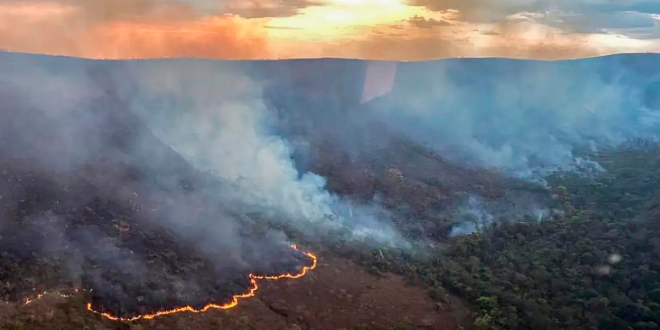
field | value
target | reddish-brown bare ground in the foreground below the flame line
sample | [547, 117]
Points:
[338, 294]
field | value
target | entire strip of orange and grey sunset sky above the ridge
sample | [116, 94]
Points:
[405, 30]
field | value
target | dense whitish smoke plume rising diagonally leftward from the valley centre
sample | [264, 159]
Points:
[215, 116]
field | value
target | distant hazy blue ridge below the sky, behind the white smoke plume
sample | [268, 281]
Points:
[433, 122]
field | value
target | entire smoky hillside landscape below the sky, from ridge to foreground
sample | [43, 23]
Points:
[167, 182]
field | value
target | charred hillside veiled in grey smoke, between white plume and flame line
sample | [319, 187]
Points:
[92, 200]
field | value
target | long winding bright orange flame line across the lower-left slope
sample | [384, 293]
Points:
[233, 303]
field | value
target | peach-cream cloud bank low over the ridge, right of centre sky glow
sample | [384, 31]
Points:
[514, 39]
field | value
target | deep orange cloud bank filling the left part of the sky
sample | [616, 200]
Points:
[126, 29]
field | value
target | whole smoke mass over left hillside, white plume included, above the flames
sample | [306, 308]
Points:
[159, 166]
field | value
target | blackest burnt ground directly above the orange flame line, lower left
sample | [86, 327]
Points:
[58, 230]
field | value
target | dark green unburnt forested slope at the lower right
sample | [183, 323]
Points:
[595, 268]
